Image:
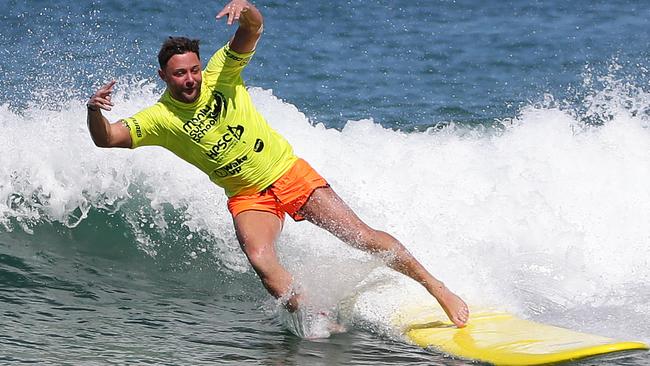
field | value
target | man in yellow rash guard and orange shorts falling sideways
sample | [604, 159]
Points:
[207, 118]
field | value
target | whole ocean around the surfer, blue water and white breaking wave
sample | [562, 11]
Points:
[505, 144]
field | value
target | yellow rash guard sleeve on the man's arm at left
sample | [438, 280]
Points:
[145, 128]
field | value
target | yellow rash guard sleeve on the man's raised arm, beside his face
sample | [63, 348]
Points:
[225, 66]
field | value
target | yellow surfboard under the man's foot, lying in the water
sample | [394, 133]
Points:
[503, 339]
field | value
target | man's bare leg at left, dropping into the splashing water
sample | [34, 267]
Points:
[257, 232]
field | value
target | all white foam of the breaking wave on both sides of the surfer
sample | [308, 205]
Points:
[546, 217]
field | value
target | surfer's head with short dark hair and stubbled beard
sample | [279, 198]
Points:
[180, 68]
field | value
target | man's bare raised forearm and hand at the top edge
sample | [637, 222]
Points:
[251, 24]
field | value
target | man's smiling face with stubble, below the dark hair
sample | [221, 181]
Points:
[182, 74]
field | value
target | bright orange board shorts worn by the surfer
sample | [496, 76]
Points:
[286, 195]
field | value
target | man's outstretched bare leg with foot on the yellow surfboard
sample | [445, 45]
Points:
[327, 210]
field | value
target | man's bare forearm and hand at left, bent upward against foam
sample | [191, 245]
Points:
[104, 133]
